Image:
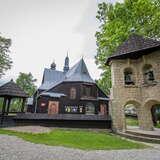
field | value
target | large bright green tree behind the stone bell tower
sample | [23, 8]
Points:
[117, 22]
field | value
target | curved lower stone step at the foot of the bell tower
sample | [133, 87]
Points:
[139, 138]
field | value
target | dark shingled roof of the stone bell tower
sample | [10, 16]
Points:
[134, 47]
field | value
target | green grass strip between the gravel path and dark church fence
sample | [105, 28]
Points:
[89, 140]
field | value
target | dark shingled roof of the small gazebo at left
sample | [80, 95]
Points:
[12, 89]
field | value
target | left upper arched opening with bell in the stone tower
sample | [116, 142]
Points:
[128, 76]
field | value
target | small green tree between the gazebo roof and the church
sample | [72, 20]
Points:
[27, 83]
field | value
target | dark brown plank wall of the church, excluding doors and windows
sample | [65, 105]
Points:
[67, 101]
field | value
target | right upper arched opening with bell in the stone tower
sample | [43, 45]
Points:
[148, 73]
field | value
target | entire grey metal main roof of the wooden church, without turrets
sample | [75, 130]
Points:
[78, 73]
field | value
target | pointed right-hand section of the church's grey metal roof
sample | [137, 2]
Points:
[79, 72]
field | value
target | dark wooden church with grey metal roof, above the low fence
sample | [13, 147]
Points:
[71, 91]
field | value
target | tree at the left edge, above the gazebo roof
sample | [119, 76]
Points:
[5, 60]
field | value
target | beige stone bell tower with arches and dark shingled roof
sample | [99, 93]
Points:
[135, 69]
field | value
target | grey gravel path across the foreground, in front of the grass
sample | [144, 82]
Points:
[13, 148]
